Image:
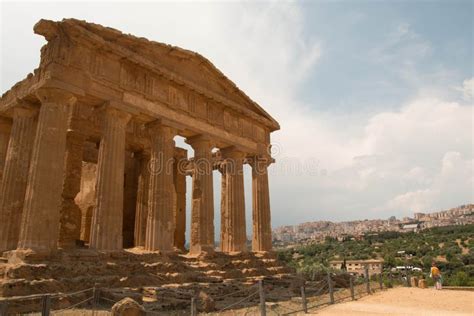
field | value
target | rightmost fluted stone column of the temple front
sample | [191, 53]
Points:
[262, 230]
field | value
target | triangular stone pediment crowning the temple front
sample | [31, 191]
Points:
[186, 64]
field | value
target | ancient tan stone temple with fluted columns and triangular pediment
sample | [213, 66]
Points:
[88, 155]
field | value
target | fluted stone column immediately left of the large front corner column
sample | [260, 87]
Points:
[13, 187]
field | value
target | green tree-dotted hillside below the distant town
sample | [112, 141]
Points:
[451, 247]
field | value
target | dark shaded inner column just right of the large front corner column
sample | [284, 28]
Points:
[71, 215]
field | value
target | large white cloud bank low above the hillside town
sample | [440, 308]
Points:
[417, 158]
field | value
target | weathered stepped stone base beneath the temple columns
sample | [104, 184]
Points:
[28, 273]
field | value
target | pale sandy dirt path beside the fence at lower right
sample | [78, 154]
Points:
[406, 301]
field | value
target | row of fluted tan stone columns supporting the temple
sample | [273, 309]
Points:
[41, 177]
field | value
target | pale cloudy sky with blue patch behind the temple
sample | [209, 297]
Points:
[374, 98]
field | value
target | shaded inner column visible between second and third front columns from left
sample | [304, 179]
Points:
[141, 213]
